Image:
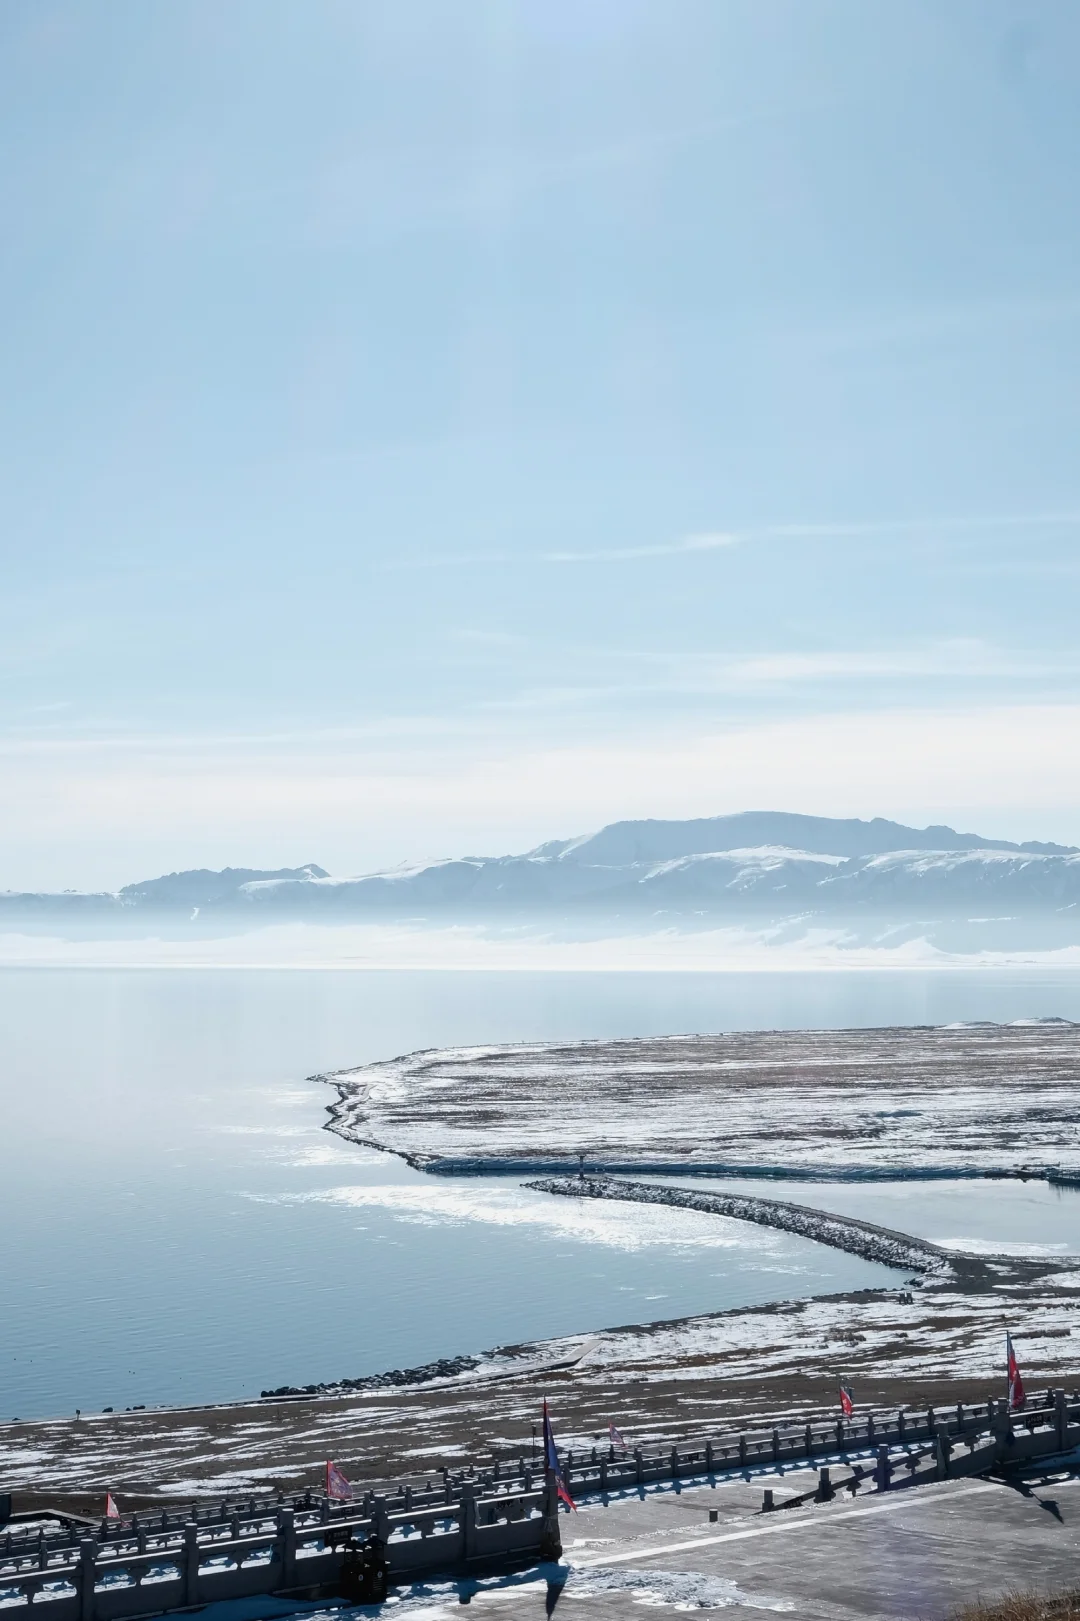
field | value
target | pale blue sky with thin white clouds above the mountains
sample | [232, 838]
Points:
[432, 429]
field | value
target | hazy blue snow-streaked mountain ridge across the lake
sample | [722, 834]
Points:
[752, 865]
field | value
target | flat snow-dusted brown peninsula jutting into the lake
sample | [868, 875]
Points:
[956, 1098]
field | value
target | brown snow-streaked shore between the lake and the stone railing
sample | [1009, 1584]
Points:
[661, 1382]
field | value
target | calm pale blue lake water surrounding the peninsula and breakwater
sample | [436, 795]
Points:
[178, 1228]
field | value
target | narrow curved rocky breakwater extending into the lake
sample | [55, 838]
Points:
[841, 1233]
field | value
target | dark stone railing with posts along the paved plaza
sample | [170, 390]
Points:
[173, 1560]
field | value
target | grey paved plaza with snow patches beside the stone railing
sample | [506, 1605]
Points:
[912, 1554]
